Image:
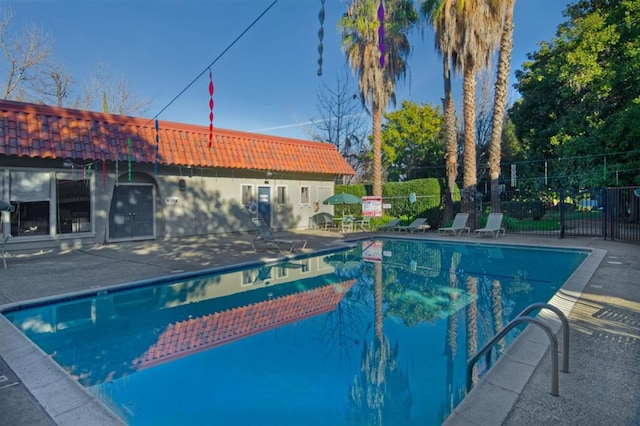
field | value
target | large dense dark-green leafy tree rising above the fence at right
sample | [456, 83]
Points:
[581, 98]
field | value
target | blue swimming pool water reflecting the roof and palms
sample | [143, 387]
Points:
[376, 334]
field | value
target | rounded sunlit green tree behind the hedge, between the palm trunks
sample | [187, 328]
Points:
[412, 142]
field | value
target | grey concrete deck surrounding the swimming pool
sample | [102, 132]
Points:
[602, 299]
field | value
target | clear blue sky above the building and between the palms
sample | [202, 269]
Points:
[266, 82]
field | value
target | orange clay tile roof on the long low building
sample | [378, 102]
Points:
[39, 131]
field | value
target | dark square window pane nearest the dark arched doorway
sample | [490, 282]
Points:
[74, 206]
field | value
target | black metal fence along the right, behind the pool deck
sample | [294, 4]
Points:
[610, 213]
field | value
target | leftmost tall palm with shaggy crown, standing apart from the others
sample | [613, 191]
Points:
[376, 78]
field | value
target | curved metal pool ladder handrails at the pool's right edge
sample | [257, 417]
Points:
[524, 318]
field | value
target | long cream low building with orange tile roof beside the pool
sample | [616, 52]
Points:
[72, 174]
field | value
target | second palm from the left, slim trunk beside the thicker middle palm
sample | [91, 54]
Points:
[441, 15]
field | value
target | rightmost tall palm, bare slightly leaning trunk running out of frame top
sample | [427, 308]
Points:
[499, 103]
